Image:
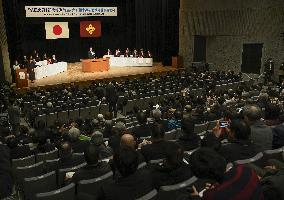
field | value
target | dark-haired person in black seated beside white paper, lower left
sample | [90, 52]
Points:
[94, 167]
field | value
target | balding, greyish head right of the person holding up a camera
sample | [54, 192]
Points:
[252, 114]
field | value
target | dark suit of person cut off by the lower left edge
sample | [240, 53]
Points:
[6, 177]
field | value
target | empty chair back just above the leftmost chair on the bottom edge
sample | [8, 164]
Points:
[39, 184]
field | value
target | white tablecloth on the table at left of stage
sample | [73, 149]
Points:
[44, 70]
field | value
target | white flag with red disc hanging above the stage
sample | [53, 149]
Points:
[55, 30]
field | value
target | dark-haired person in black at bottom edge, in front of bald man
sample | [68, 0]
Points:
[132, 184]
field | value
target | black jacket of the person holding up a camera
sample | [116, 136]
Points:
[238, 150]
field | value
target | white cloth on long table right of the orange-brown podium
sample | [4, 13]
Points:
[130, 62]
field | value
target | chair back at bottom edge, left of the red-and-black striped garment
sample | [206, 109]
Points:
[169, 192]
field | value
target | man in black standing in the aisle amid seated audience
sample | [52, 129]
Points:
[112, 97]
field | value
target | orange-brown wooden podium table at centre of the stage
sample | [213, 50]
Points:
[95, 65]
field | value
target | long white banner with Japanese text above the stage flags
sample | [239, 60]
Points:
[54, 11]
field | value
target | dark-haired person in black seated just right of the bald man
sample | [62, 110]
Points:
[159, 146]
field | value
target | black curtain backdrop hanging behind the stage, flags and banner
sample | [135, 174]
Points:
[148, 24]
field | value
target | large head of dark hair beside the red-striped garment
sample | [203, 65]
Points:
[208, 164]
